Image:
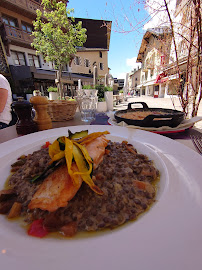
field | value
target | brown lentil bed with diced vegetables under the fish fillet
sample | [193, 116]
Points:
[125, 177]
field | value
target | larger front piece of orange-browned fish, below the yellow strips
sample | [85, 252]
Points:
[56, 190]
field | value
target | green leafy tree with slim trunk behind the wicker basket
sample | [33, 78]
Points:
[56, 36]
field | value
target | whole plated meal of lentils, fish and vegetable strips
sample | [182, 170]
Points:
[80, 182]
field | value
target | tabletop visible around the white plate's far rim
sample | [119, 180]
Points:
[183, 137]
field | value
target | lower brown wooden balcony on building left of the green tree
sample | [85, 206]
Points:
[17, 35]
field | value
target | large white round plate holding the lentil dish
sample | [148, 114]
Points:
[168, 236]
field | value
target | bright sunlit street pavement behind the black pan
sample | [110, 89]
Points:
[152, 102]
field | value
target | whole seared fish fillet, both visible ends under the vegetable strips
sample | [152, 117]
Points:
[58, 188]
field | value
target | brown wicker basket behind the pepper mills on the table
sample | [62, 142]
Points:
[61, 110]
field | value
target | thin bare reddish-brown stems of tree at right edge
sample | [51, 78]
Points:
[187, 43]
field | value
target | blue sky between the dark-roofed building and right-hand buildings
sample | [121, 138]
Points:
[124, 47]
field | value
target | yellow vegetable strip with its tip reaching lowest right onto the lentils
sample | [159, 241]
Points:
[83, 169]
